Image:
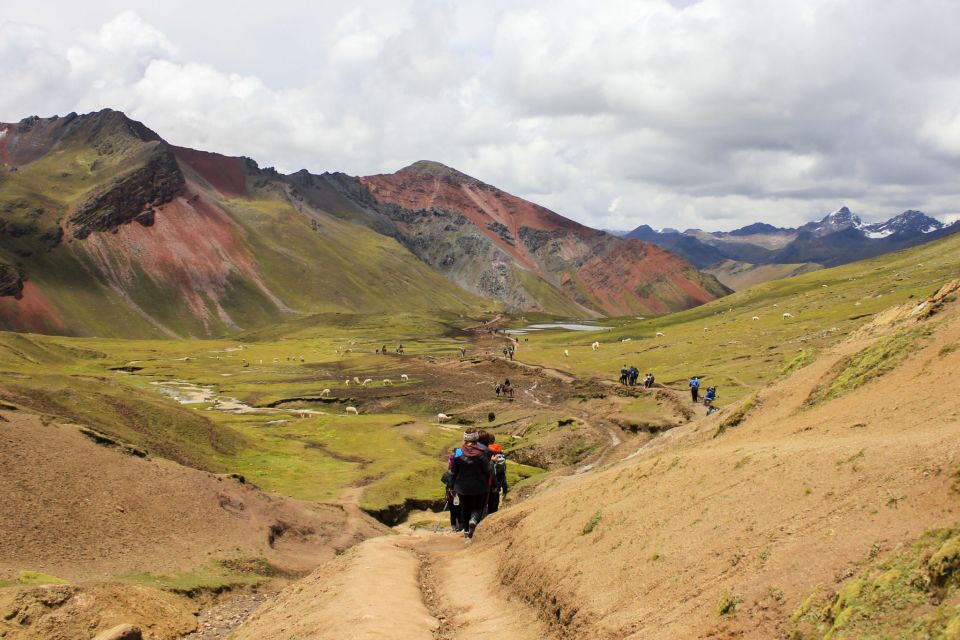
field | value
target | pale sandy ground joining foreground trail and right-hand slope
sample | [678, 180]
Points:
[792, 500]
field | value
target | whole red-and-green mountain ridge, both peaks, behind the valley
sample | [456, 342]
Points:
[106, 229]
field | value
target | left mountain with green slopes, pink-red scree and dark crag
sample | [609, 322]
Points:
[108, 230]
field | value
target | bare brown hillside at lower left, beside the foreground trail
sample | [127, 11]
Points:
[92, 536]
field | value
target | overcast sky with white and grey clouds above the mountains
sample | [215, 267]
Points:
[682, 113]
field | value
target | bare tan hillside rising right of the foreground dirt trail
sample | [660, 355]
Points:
[745, 532]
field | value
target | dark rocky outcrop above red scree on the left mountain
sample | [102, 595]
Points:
[132, 196]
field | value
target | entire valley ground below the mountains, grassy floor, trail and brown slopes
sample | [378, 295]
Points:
[237, 472]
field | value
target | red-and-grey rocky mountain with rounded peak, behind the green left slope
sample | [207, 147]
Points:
[511, 250]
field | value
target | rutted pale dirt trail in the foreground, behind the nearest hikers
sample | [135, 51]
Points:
[406, 587]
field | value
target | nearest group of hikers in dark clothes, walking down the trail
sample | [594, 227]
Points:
[476, 475]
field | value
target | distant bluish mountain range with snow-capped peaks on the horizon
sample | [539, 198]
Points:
[837, 238]
